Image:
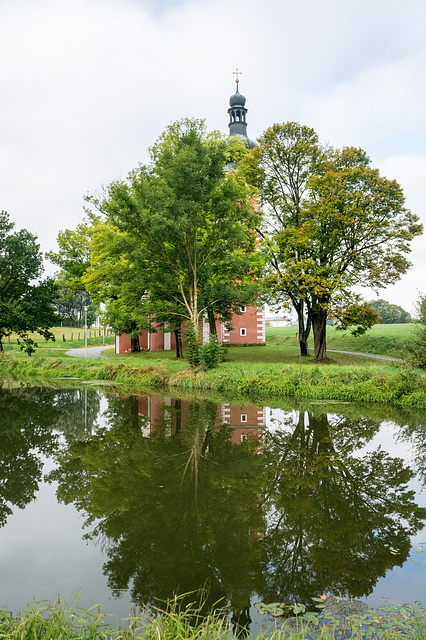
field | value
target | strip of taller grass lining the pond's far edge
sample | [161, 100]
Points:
[366, 382]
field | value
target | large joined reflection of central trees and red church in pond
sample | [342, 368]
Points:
[185, 495]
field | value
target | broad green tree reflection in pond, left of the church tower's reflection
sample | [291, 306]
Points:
[173, 512]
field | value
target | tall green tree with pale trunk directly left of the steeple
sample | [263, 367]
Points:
[194, 223]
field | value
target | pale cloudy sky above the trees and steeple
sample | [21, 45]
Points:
[87, 86]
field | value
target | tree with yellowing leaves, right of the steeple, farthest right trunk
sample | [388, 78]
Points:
[356, 232]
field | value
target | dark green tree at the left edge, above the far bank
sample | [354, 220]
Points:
[26, 303]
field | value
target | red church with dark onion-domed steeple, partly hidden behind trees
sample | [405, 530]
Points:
[247, 327]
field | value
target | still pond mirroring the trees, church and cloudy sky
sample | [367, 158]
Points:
[130, 499]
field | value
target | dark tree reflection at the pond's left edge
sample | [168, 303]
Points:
[27, 419]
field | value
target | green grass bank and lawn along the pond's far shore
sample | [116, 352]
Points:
[272, 371]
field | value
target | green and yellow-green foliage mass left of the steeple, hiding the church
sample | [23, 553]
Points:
[179, 236]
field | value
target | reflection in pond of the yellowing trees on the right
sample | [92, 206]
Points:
[333, 516]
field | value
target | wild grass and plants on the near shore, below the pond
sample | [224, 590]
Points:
[59, 620]
